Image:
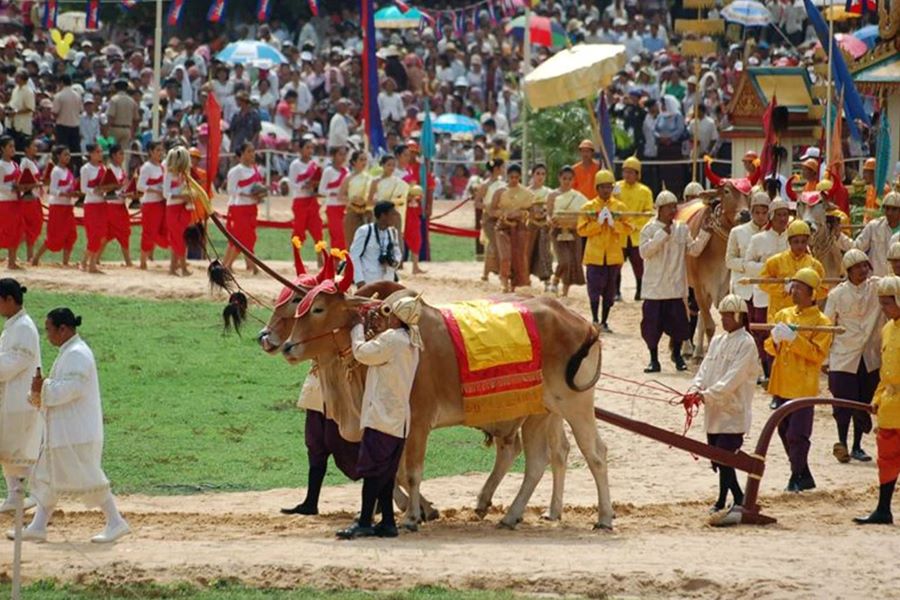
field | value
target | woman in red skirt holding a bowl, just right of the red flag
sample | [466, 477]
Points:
[245, 190]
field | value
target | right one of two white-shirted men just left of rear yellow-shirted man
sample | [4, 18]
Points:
[762, 246]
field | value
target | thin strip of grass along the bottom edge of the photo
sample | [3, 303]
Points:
[226, 590]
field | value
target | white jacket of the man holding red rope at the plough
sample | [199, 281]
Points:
[727, 380]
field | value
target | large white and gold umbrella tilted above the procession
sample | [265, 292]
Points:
[573, 74]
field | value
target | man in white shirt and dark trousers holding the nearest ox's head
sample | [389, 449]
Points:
[392, 358]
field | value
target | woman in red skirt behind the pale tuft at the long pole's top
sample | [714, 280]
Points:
[178, 207]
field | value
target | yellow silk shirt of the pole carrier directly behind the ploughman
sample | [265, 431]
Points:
[795, 372]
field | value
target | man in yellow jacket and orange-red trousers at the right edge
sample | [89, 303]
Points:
[887, 404]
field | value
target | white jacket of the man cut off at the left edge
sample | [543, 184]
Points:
[21, 426]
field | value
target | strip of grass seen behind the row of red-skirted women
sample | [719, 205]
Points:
[273, 244]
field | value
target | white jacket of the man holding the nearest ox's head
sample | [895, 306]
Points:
[392, 362]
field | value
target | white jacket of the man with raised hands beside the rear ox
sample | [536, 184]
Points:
[665, 274]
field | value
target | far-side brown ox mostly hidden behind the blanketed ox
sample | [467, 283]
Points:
[343, 390]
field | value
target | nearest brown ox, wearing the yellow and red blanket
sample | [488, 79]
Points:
[436, 400]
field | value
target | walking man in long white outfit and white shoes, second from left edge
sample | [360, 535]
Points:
[72, 447]
